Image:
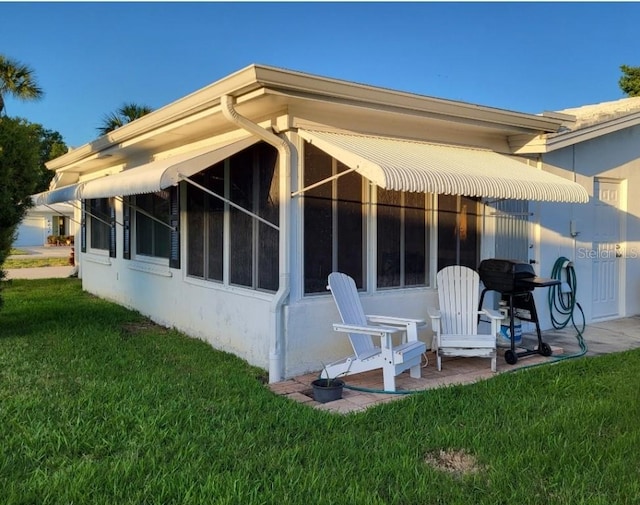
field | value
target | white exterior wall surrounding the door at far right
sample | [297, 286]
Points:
[615, 156]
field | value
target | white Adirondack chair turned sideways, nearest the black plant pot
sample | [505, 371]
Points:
[361, 330]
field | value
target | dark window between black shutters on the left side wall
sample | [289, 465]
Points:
[151, 222]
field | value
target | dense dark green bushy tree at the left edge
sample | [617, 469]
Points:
[19, 172]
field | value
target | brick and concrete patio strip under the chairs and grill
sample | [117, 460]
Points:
[601, 338]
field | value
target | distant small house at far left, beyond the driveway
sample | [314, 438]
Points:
[42, 222]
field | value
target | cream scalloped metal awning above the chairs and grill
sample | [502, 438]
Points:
[404, 165]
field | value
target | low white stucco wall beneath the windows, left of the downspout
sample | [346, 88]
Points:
[232, 320]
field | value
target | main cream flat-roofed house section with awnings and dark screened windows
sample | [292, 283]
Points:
[223, 213]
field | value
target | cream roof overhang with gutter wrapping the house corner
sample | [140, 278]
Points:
[258, 91]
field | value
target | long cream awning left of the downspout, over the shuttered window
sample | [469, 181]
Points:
[161, 174]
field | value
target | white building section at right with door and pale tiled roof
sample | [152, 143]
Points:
[600, 146]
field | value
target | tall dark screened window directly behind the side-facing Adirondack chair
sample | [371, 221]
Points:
[333, 222]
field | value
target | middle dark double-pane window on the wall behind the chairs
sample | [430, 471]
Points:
[402, 239]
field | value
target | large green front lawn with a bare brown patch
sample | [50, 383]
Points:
[97, 405]
